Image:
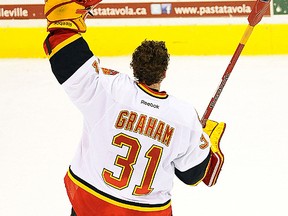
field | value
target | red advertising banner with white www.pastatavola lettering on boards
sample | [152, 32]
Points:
[153, 9]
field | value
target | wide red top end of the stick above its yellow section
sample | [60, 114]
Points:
[258, 11]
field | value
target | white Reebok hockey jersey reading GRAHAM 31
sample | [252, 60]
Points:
[134, 138]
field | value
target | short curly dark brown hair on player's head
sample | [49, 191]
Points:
[150, 61]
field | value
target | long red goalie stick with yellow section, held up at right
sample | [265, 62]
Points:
[254, 18]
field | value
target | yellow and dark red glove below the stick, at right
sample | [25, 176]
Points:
[215, 131]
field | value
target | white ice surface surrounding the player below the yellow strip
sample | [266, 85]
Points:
[40, 128]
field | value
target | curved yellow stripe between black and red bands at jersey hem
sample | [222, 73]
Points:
[116, 203]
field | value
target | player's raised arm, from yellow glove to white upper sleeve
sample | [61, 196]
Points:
[68, 52]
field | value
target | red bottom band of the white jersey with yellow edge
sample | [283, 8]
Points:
[88, 204]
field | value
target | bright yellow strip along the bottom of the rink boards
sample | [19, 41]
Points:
[181, 40]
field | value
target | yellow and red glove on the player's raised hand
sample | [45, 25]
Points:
[68, 14]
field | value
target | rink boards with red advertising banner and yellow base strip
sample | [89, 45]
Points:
[23, 29]
